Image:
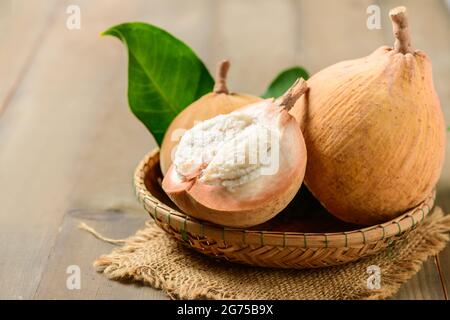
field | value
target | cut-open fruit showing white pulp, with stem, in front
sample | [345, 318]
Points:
[243, 168]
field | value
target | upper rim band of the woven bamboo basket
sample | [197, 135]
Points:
[183, 224]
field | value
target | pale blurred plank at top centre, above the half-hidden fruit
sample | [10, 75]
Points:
[258, 39]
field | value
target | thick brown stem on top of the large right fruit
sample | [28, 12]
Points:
[401, 31]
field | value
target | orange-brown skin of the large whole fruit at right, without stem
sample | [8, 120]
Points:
[375, 135]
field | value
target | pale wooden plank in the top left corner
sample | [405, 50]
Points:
[23, 26]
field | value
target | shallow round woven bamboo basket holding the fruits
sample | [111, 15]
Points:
[304, 235]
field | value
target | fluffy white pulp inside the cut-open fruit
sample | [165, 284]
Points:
[228, 150]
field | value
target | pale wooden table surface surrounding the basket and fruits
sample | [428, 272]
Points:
[69, 145]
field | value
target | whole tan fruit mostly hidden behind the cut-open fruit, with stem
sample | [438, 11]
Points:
[220, 101]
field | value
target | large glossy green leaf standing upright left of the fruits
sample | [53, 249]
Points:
[164, 75]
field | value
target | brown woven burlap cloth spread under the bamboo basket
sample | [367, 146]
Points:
[155, 259]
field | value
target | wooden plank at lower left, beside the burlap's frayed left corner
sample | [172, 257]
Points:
[76, 247]
